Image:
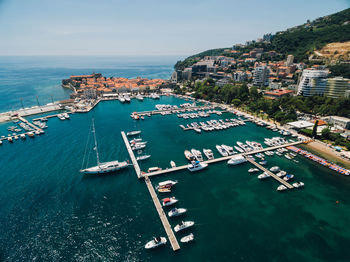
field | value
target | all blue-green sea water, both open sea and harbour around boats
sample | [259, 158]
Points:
[51, 212]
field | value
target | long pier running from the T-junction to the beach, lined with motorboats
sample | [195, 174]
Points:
[220, 159]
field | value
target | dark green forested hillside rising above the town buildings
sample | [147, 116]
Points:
[300, 40]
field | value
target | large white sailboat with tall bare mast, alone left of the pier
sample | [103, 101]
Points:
[102, 168]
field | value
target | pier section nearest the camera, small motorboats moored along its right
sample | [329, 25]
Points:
[171, 236]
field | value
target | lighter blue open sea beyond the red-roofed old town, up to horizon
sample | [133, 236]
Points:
[29, 78]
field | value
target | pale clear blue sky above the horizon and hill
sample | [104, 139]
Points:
[146, 27]
